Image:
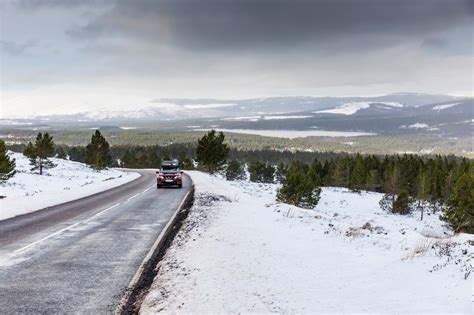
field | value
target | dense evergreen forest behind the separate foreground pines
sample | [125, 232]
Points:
[430, 177]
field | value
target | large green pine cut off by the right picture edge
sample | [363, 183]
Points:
[460, 210]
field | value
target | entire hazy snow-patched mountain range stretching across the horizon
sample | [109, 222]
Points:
[399, 113]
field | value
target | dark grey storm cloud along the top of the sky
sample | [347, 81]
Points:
[268, 24]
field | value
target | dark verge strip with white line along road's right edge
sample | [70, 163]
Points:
[143, 278]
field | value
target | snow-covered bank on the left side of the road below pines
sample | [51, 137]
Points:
[27, 191]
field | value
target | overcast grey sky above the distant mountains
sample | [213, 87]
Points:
[74, 55]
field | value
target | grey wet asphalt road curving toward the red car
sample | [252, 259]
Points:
[80, 256]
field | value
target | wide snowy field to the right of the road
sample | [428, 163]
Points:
[240, 251]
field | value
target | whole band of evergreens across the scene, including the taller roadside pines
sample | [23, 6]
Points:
[406, 180]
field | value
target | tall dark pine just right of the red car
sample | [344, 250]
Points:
[211, 151]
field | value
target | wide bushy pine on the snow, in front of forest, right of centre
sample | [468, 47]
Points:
[300, 187]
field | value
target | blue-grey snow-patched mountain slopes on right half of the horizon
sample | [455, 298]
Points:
[452, 118]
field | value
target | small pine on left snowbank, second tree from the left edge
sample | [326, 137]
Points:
[40, 152]
